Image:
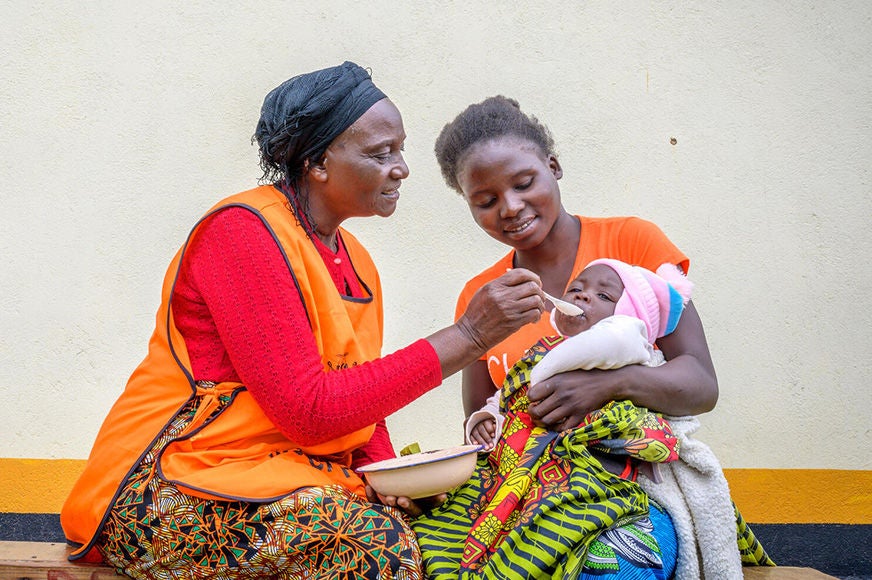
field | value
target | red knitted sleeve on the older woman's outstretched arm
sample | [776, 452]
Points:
[243, 319]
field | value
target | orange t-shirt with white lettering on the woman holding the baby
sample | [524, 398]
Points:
[630, 239]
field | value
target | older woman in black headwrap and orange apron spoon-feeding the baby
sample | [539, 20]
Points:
[232, 450]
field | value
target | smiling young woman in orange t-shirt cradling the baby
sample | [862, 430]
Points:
[503, 164]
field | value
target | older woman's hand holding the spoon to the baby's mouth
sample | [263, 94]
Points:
[502, 306]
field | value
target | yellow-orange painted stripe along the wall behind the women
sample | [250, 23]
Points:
[764, 496]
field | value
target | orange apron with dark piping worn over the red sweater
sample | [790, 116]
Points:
[238, 454]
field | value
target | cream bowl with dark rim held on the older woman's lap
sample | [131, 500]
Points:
[422, 474]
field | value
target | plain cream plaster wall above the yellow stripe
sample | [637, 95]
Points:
[123, 121]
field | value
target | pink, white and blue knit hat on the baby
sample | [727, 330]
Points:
[656, 299]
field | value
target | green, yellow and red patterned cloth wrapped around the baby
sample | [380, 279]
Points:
[536, 502]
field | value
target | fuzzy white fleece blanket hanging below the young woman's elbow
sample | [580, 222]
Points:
[696, 495]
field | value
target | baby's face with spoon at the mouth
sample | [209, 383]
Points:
[596, 291]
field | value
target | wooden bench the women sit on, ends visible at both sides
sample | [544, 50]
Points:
[38, 560]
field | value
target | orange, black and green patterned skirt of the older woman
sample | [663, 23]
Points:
[156, 531]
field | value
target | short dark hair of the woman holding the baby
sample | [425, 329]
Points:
[493, 118]
